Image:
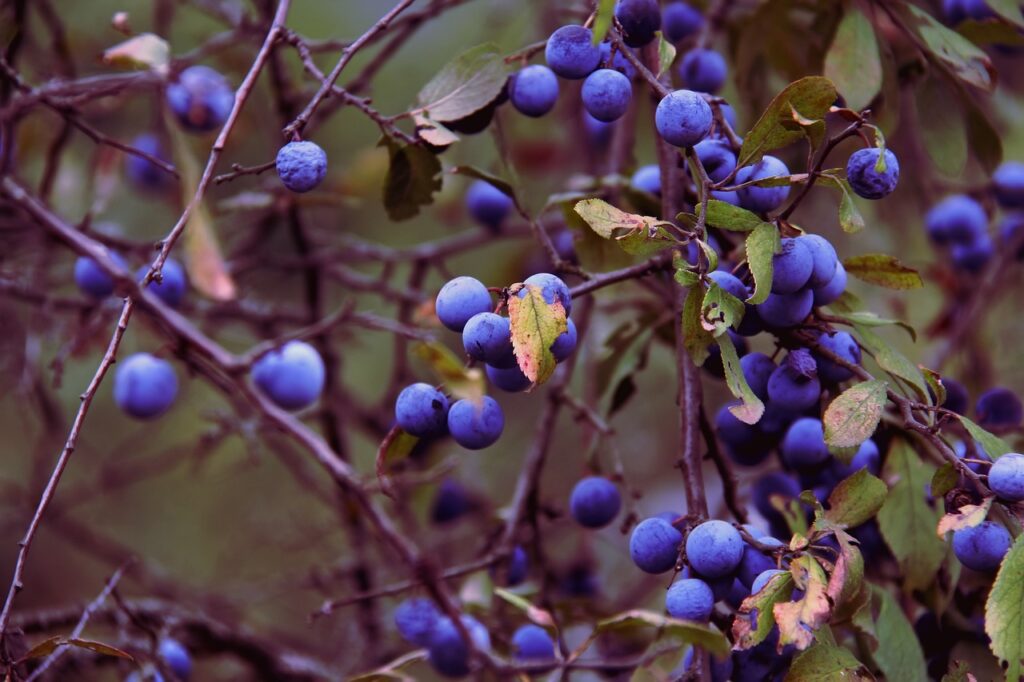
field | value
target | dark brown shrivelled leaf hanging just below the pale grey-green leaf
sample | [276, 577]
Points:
[413, 178]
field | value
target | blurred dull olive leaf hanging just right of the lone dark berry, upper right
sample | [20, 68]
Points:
[941, 123]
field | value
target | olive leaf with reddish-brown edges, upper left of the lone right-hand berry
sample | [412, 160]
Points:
[809, 97]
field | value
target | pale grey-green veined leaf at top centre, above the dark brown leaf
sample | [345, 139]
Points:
[465, 86]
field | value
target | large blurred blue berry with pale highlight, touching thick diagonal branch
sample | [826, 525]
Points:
[292, 376]
